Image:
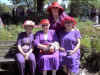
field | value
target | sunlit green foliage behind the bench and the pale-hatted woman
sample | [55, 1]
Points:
[11, 32]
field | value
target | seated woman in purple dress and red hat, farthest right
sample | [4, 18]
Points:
[70, 44]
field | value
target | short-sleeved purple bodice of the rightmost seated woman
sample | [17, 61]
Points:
[68, 40]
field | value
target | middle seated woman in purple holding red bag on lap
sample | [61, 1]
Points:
[46, 41]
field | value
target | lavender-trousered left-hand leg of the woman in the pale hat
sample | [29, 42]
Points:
[21, 62]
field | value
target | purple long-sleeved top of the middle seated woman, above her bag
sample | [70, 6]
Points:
[39, 38]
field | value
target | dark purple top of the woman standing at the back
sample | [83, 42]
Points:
[56, 25]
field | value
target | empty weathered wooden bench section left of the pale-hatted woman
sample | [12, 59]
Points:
[7, 55]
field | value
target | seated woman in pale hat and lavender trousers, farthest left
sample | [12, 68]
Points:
[25, 48]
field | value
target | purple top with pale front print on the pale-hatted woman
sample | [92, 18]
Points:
[25, 41]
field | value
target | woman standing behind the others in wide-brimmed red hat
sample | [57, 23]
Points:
[56, 15]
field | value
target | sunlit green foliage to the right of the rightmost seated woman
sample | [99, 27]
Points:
[88, 32]
